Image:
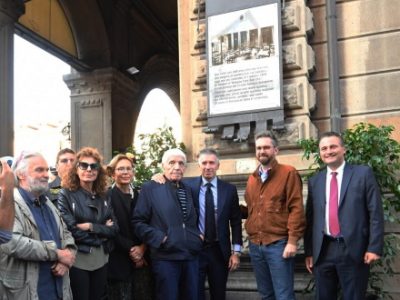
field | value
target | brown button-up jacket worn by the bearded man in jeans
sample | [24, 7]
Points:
[275, 207]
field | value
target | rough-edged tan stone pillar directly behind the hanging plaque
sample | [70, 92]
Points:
[298, 63]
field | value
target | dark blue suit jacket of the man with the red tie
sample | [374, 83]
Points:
[360, 213]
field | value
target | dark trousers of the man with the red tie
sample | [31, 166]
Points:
[334, 267]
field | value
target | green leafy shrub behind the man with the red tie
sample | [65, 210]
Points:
[367, 144]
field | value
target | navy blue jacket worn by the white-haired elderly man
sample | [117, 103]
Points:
[158, 214]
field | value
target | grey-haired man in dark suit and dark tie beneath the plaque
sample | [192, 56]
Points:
[216, 258]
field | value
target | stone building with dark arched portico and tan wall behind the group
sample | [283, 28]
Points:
[340, 67]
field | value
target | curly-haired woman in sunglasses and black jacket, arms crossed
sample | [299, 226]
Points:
[87, 211]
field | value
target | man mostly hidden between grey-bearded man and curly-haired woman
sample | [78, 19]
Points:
[64, 161]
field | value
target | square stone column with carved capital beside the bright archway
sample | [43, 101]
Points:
[101, 110]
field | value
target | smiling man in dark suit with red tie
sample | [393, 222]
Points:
[345, 224]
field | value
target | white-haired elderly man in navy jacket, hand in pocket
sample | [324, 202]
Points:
[166, 220]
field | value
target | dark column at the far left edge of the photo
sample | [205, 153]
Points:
[10, 11]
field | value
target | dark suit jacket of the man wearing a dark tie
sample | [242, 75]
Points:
[228, 213]
